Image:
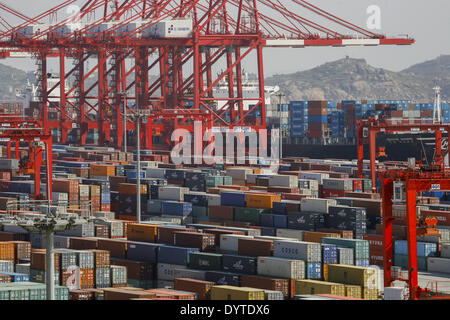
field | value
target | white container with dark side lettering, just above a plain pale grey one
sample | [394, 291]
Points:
[299, 250]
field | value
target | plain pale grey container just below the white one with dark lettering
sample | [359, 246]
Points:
[283, 268]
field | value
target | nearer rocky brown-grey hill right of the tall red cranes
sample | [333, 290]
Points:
[349, 79]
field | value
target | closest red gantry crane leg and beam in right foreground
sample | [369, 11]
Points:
[415, 180]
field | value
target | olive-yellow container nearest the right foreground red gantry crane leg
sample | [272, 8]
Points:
[365, 277]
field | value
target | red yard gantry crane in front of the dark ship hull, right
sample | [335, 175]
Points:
[369, 128]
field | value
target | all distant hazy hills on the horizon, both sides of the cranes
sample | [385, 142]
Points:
[342, 79]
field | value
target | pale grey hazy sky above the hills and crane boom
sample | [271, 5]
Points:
[427, 21]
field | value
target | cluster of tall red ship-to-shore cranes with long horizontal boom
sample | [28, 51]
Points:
[224, 32]
